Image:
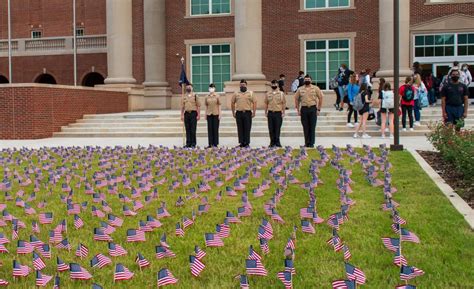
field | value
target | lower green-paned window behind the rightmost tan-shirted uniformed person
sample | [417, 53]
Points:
[323, 58]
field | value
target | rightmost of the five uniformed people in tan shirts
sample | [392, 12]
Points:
[308, 102]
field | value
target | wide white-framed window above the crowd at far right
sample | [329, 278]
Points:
[446, 44]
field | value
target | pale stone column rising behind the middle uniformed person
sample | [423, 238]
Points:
[248, 40]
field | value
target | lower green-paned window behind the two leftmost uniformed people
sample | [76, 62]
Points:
[210, 64]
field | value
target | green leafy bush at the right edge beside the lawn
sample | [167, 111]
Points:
[456, 146]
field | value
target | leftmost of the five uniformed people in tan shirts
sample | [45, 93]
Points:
[190, 114]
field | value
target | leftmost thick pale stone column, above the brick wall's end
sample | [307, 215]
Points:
[119, 42]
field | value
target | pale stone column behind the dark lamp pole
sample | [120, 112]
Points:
[386, 38]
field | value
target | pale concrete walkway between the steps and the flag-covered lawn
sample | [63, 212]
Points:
[411, 143]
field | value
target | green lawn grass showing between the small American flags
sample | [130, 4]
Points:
[446, 251]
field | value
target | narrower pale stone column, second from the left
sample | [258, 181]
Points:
[155, 43]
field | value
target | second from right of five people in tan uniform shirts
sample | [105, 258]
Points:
[275, 104]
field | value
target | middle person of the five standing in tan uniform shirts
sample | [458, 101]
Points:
[243, 106]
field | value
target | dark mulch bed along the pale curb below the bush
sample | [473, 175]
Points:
[450, 175]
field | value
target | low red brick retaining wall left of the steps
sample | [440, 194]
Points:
[36, 111]
